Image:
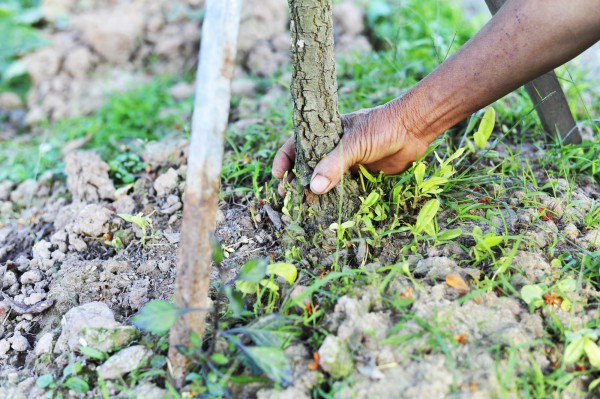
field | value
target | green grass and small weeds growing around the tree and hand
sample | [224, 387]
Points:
[413, 37]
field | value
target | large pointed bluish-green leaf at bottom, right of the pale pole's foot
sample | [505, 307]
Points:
[273, 362]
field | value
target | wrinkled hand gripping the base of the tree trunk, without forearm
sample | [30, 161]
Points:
[375, 138]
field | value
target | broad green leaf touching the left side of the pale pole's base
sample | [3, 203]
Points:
[157, 317]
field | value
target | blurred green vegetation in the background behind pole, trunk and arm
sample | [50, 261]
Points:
[410, 38]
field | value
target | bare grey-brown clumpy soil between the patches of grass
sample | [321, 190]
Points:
[55, 241]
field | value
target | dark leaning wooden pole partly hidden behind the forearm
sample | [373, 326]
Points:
[550, 100]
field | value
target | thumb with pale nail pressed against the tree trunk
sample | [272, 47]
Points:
[329, 170]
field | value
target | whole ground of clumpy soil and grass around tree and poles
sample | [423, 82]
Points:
[471, 275]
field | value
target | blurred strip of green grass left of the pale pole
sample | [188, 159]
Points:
[123, 125]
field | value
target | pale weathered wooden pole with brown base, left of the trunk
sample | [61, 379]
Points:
[209, 122]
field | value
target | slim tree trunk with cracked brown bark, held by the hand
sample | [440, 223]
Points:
[317, 124]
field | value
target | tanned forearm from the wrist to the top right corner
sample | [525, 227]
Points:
[525, 39]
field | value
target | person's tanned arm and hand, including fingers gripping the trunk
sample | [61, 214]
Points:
[525, 39]
